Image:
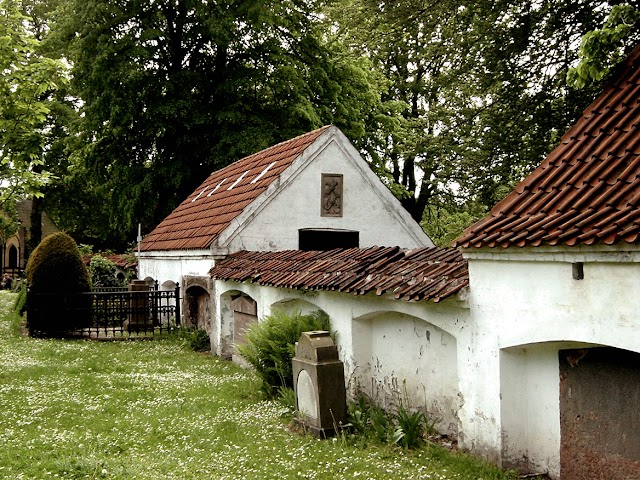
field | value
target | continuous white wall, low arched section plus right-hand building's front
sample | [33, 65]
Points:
[485, 362]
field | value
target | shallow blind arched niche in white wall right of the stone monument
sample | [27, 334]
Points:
[403, 358]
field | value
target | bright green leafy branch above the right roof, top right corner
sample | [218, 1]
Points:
[601, 49]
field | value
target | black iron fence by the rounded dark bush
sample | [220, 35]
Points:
[104, 314]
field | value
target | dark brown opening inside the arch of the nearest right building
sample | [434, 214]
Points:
[599, 414]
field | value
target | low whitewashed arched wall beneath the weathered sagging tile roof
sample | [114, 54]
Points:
[389, 347]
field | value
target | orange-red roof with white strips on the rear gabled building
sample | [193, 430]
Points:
[223, 195]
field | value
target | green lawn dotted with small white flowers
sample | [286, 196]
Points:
[157, 410]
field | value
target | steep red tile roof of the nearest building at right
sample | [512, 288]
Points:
[587, 191]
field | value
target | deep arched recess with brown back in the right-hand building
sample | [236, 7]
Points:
[556, 395]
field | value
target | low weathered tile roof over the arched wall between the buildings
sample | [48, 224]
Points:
[419, 274]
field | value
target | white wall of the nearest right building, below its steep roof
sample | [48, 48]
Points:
[525, 306]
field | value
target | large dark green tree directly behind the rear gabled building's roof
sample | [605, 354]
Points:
[174, 90]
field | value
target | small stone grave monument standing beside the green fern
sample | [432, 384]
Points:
[318, 380]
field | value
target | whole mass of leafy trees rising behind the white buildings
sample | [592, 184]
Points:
[452, 101]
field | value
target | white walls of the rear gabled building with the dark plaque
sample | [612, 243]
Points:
[292, 202]
